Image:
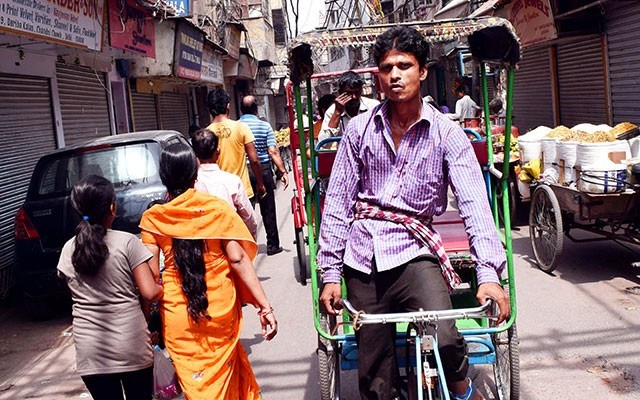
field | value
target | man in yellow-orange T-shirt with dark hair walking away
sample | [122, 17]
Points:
[236, 143]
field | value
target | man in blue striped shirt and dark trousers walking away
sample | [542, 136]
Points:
[268, 153]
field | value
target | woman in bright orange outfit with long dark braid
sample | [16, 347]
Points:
[208, 276]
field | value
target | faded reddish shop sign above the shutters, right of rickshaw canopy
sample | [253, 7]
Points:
[532, 19]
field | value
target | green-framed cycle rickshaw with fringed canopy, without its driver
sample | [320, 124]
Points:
[490, 40]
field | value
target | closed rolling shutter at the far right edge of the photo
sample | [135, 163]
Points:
[623, 36]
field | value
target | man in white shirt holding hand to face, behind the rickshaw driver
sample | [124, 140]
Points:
[347, 105]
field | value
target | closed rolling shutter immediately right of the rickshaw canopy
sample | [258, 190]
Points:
[532, 94]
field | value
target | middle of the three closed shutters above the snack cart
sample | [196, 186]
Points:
[581, 83]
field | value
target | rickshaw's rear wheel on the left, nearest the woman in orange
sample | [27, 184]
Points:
[328, 361]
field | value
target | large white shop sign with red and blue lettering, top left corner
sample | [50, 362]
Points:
[71, 22]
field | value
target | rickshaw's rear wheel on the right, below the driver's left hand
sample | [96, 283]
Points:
[506, 369]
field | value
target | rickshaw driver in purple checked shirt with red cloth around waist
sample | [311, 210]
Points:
[389, 179]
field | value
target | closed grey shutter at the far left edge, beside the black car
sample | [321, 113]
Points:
[26, 123]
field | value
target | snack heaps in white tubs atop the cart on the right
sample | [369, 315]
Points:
[589, 158]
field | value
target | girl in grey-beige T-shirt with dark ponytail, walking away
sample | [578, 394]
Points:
[107, 272]
